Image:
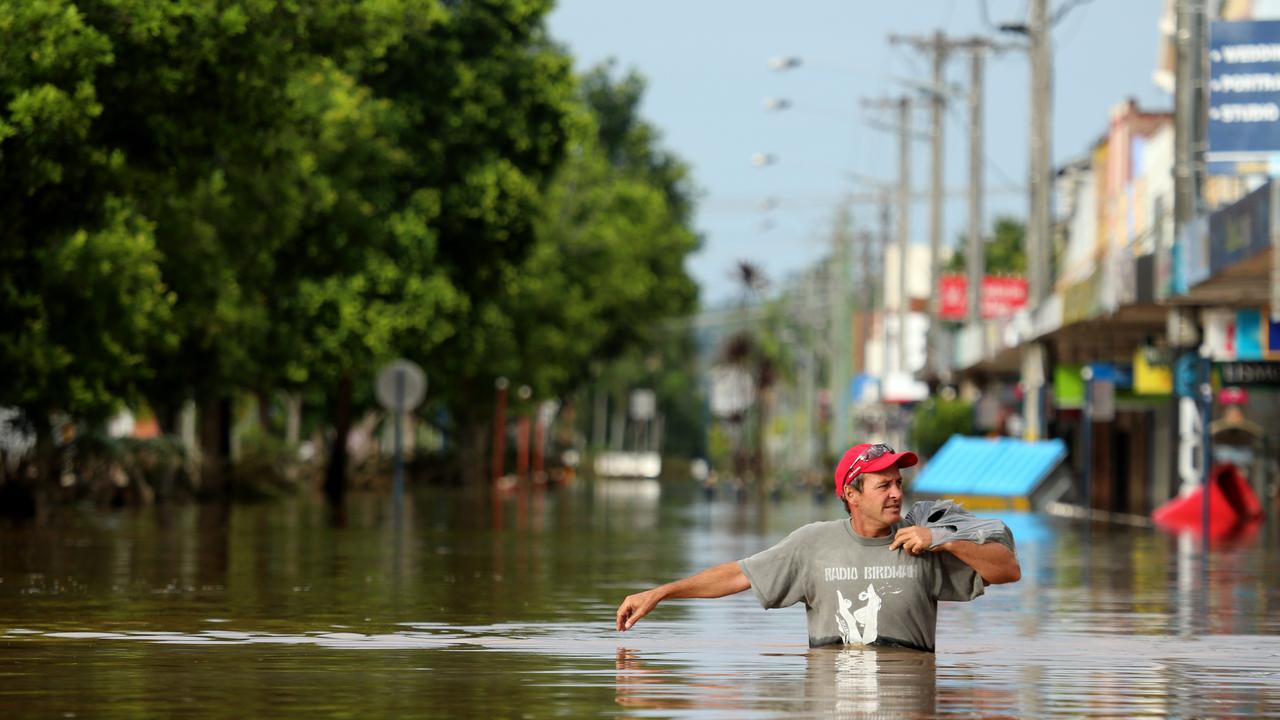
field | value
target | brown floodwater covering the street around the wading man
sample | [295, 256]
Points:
[504, 607]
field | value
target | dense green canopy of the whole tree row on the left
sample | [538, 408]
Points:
[259, 195]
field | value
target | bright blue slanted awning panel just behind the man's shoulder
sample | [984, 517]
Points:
[991, 468]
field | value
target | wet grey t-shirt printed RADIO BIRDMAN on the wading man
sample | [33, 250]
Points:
[857, 591]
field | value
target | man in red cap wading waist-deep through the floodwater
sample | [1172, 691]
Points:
[874, 580]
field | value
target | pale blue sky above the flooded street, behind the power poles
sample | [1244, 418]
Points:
[707, 66]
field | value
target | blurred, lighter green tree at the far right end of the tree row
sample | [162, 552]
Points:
[620, 231]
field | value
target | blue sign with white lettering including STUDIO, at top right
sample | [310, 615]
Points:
[1245, 98]
